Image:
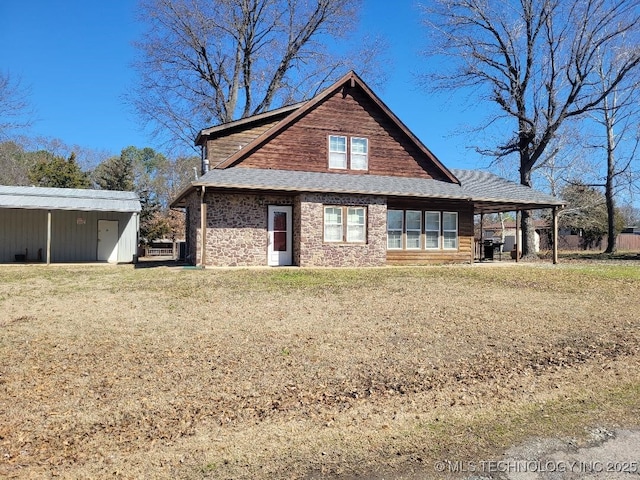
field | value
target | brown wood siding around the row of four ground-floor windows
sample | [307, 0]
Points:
[464, 252]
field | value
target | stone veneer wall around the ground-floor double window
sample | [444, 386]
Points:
[313, 251]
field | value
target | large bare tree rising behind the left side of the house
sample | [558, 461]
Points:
[206, 62]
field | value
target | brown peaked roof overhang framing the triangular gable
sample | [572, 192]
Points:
[352, 80]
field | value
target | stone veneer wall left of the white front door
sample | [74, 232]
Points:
[237, 228]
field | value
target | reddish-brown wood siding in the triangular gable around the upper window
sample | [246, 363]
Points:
[349, 112]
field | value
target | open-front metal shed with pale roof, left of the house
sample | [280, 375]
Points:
[61, 225]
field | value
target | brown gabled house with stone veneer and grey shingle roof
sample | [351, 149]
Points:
[337, 180]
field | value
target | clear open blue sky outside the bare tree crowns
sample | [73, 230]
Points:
[75, 56]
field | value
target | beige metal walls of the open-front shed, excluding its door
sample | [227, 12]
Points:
[74, 235]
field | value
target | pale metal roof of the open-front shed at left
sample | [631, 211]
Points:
[39, 198]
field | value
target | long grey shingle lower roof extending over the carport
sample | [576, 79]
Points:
[489, 191]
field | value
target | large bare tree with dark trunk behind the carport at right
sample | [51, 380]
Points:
[536, 61]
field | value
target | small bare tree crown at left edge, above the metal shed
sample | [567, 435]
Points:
[15, 110]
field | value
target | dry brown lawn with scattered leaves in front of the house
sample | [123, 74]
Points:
[170, 373]
